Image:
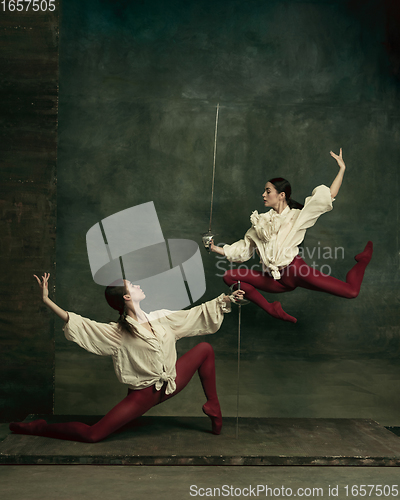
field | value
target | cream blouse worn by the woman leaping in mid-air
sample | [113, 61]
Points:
[276, 237]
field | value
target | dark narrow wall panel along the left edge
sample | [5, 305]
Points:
[28, 155]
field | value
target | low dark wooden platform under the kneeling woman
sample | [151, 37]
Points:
[188, 441]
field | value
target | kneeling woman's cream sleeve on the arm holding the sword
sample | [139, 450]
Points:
[200, 320]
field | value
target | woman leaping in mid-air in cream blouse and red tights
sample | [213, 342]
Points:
[276, 234]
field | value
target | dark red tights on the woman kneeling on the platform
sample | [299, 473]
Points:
[200, 358]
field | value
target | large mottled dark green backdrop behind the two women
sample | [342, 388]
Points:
[139, 84]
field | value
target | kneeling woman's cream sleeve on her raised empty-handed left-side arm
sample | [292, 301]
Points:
[99, 338]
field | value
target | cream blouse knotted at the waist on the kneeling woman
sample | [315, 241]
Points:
[147, 358]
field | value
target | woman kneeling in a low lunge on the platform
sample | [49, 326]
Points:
[143, 350]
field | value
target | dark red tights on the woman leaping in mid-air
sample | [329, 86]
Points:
[298, 273]
